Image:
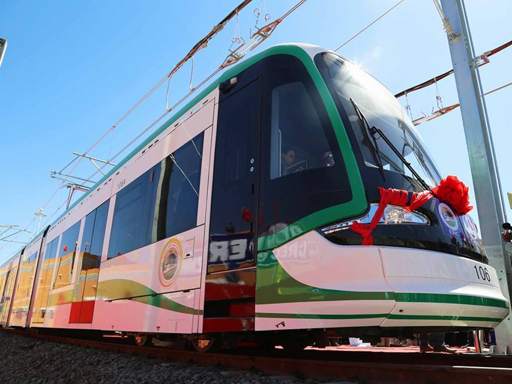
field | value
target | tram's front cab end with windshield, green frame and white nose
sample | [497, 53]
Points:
[413, 270]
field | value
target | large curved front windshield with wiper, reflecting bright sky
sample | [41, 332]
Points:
[351, 85]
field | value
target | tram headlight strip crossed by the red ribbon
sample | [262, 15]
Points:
[392, 215]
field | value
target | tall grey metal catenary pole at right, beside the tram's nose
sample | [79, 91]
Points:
[489, 197]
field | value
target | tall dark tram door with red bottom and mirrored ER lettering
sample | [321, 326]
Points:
[231, 275]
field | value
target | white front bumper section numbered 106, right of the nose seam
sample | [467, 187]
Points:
[415, 270]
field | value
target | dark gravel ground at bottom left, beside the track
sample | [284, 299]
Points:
[25, 360]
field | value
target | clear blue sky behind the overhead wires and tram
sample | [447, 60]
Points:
[73, 68]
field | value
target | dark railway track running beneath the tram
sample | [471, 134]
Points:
[358, 367]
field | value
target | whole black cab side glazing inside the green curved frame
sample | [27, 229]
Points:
[302, 168]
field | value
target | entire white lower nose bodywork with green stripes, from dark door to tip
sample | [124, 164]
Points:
[420, 284]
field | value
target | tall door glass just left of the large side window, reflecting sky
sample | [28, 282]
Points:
[94, 232]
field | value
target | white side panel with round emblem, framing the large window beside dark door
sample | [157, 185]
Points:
[142, 266]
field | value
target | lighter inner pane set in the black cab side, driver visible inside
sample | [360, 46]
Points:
[297, 140]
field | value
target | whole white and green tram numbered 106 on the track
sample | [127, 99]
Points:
[235, 220]
